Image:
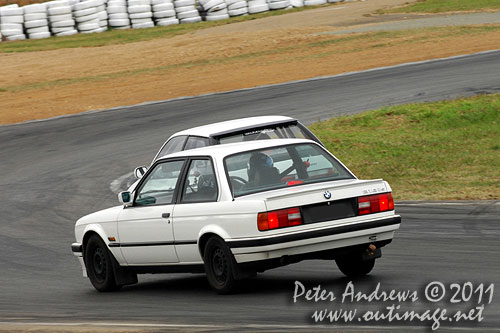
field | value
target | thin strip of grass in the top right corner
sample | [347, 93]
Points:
[441, 6]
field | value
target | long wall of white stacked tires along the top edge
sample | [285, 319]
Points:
[69, 17]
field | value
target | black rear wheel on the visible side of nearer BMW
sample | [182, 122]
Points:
[219, 266]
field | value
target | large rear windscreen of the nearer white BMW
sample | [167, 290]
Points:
[278, 167]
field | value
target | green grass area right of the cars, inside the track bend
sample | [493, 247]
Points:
[431, 151]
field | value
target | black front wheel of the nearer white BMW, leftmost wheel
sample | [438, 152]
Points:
[99, 265]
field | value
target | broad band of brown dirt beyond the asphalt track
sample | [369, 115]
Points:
[39, 85]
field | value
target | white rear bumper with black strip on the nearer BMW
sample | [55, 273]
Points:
[315, 241]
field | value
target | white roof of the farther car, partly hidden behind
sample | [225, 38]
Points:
[232, 125]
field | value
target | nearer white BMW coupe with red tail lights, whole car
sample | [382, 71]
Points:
[237, 209]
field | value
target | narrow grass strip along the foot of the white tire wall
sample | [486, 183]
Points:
[114, 37]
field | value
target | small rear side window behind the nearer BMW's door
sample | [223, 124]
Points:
[200, 184]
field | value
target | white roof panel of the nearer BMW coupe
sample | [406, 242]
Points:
[220, 151]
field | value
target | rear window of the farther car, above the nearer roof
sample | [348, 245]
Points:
[281, 131]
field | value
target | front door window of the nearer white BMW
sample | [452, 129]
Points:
[159, 186]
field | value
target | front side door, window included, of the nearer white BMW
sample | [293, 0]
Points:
[146, 228]
